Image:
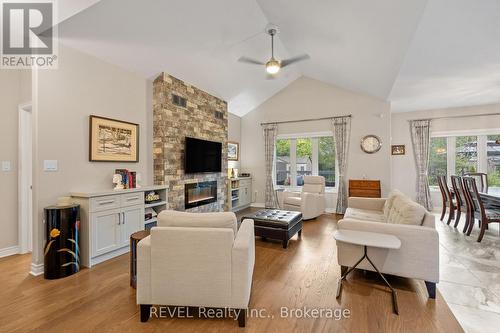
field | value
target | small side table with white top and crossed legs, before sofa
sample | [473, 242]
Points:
[366, 239]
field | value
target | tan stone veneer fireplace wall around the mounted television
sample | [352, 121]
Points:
[172, 124]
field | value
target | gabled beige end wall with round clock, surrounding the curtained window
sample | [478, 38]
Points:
[308, 98]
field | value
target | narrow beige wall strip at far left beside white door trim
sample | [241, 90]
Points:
[15, 89]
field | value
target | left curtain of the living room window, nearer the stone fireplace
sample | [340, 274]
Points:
[270, 132]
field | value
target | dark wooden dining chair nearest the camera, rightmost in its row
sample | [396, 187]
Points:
[485, 216]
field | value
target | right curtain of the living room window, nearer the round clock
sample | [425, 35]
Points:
[342, 135]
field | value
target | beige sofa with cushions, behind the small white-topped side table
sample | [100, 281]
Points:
[397, 215]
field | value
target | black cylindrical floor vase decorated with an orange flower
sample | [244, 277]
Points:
[62, 251]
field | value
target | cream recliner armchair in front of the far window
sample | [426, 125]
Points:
[311, 202]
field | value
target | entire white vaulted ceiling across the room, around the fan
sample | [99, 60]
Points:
[417, 54]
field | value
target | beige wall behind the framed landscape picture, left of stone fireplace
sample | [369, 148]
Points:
[83, 86]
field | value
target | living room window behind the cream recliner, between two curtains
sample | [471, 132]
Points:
[297, 157]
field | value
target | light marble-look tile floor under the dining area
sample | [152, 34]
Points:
[470, 276]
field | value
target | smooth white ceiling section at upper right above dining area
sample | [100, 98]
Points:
[454, 59]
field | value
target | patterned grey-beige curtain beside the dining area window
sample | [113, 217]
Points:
[421, 141]
